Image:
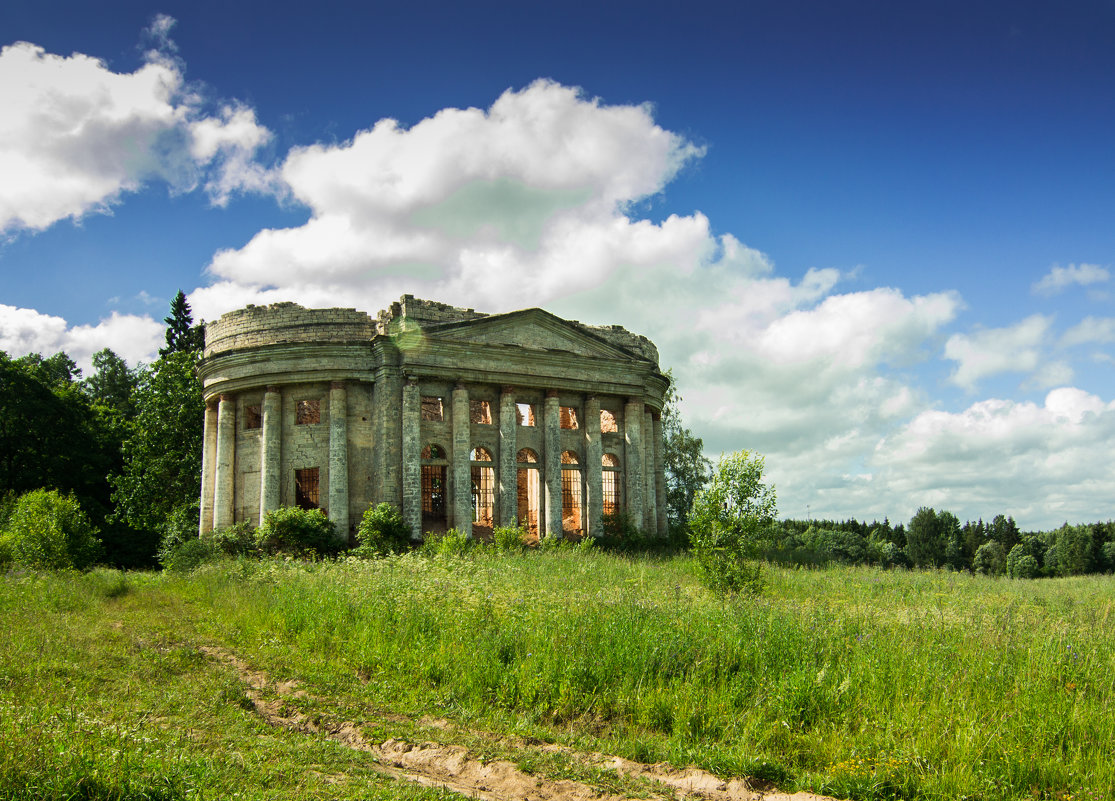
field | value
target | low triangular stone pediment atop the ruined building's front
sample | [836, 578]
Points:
[534, 330]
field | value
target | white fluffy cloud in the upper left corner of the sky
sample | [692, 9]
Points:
[75, 136]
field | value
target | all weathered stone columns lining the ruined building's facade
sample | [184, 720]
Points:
[644, 490]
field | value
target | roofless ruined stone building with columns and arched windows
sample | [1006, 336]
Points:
[460, 419]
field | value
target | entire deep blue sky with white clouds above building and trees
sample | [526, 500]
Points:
[874, 242]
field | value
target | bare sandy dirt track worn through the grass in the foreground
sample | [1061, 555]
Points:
[455, 768]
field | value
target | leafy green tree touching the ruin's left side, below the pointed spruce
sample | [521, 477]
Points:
[162, 456]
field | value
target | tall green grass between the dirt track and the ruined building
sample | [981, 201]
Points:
[855, 682]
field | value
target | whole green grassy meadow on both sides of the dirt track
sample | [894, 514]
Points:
[854, 682]
